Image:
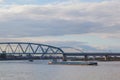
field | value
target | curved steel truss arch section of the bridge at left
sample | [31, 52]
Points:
[28, 48]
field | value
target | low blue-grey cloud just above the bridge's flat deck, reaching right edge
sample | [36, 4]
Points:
[78, 46]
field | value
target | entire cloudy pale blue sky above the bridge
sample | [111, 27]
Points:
[90, 25]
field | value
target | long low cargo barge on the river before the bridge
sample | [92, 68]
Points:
[73, 63]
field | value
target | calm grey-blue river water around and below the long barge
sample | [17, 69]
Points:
[40, 70]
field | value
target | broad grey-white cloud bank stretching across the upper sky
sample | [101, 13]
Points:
[60, 19]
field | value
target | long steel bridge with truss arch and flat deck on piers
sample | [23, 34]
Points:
[24, 49]
